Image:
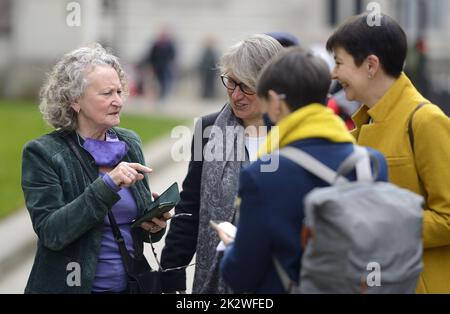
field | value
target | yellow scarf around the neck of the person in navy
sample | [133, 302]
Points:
[312, 121]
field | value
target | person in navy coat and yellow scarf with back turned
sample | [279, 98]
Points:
[294, 87]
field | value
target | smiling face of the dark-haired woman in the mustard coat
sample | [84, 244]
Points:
[353, 79]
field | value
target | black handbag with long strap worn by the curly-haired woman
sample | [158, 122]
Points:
[142, 279]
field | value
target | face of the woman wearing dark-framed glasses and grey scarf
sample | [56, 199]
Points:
[245, 107]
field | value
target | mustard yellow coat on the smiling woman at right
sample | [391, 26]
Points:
[426, 171]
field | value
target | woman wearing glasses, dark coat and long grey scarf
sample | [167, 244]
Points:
[229, 141]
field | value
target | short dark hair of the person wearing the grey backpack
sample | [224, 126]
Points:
[303, 77]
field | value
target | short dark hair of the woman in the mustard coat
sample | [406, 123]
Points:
[387, 41]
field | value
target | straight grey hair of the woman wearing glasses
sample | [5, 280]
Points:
[246, 58]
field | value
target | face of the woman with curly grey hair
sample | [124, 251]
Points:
[100, 105]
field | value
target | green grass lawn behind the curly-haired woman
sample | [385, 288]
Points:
[21, 121]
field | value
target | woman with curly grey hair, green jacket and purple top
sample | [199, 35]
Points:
[82, 99]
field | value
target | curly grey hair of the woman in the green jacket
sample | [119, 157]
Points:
[67, 82]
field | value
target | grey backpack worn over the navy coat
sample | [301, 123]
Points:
[366, 235]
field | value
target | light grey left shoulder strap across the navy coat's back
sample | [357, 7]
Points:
[311, 164]
